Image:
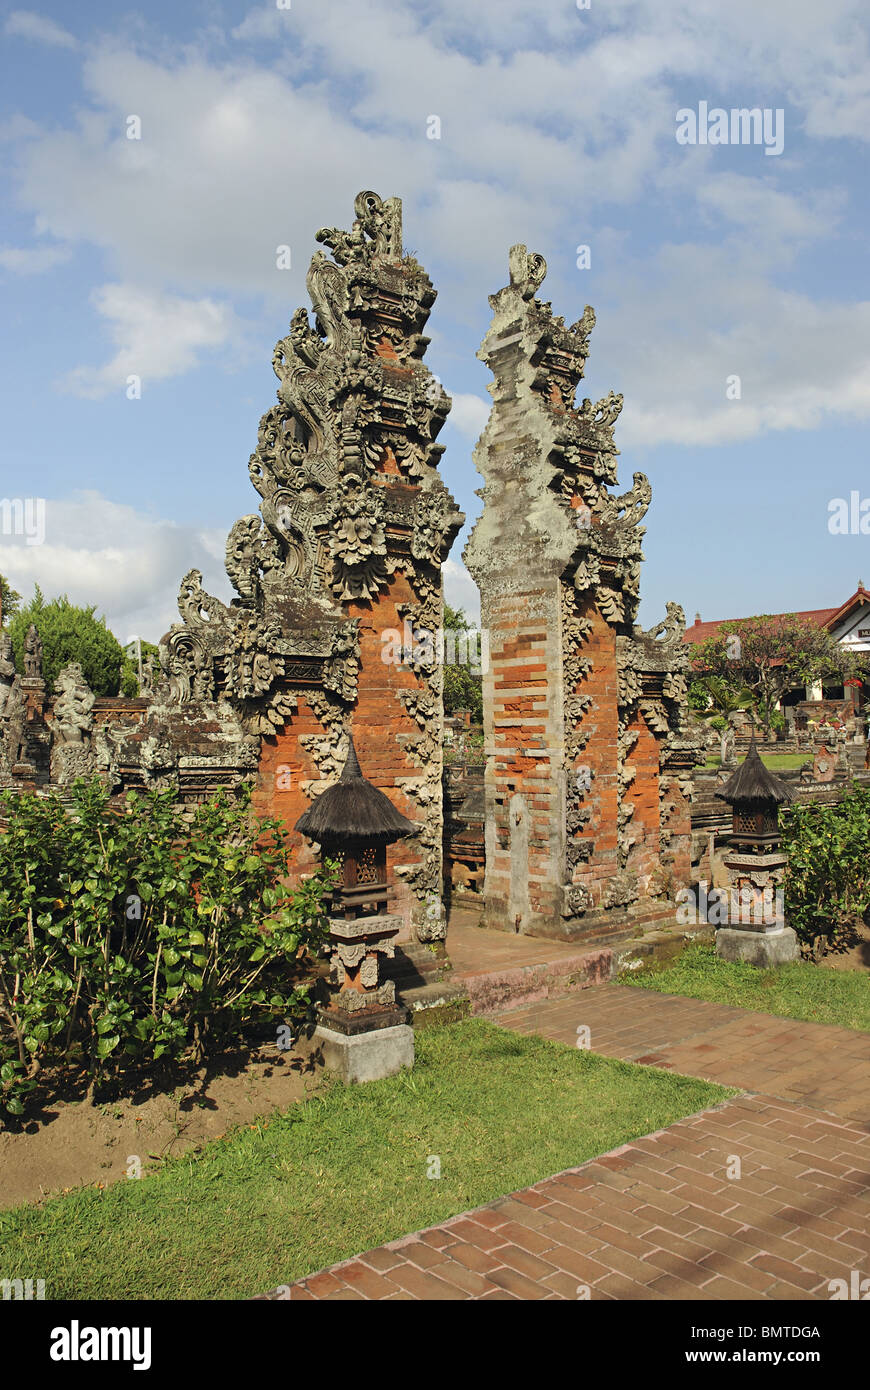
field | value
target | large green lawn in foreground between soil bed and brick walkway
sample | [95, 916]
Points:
[347, 1171]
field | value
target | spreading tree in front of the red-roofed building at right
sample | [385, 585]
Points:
[771, 655]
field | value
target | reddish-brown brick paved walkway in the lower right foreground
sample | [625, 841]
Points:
[661, 1218]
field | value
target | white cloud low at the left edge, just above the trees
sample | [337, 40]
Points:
[127, 564]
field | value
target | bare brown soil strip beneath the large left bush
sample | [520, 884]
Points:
[73, 1142]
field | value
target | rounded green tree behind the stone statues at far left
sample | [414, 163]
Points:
[70, 635]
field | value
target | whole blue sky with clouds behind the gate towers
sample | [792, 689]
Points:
[558, 129]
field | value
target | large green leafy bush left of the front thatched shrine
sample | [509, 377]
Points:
[152, 932]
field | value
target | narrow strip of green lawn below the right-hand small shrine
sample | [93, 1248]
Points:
[796, 992]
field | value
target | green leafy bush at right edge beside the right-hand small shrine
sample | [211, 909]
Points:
[828, 879]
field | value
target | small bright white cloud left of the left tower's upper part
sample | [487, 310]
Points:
[158, 336]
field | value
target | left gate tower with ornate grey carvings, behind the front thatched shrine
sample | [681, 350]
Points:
[354, 526]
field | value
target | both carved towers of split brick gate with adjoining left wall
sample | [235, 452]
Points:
[589, 761]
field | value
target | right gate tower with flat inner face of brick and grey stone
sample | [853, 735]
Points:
[589, 769]
